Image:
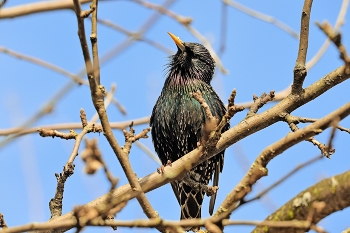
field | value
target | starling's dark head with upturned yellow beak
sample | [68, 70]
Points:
[192, 61]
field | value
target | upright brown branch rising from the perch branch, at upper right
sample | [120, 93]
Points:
[300, 71]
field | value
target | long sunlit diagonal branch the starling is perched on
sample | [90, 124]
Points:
[238, 132]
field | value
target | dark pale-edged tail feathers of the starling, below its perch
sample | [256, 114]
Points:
[190, 201]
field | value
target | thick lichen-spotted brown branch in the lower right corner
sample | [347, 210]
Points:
[332, 191]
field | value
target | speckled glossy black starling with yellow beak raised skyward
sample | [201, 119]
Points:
[177, 120]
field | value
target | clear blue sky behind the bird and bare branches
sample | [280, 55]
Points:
[259, 57]
